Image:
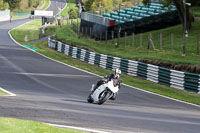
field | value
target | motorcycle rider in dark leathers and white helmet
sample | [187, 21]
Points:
[109, 77]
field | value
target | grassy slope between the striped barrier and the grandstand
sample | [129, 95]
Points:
[129, 51]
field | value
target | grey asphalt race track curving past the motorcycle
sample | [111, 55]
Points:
[51, 92]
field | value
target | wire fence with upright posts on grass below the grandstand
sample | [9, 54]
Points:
[166, 40]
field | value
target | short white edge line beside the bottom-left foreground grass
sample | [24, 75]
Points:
[77, 128]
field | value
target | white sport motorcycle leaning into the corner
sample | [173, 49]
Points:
[107, 90]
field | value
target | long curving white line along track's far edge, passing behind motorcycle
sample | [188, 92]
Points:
[98, 75]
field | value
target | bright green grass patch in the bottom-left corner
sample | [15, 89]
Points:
[9, 125]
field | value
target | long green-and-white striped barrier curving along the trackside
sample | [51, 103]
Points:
[160, 75]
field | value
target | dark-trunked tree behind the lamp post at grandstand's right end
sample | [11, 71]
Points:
[181, 10]
